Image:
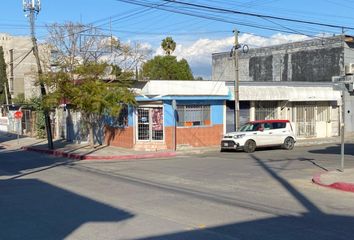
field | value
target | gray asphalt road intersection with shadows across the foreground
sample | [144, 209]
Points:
[231, 195]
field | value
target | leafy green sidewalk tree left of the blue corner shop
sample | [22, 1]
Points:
[88, 93]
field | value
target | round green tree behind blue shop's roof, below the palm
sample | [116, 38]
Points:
[167, 68]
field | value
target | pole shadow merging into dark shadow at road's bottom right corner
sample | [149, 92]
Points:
[311, 225]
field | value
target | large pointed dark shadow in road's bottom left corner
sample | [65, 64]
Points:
[32, 209]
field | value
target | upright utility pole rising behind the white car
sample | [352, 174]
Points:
[237, 81]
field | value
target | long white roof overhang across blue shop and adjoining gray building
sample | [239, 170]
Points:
[249, 91]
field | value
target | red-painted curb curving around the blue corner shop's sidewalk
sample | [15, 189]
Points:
[76, 156]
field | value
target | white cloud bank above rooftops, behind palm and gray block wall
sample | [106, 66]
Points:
[198, 54]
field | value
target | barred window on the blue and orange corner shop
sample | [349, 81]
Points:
[193, 115]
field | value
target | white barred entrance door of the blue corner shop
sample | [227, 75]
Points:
[150, 124]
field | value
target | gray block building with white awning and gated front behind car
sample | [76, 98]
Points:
[297, 77]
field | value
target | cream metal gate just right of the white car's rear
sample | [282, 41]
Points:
[305, 119]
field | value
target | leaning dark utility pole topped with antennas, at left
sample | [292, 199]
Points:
[32, 7]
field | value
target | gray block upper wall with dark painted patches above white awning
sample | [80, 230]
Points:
[314, 60]
